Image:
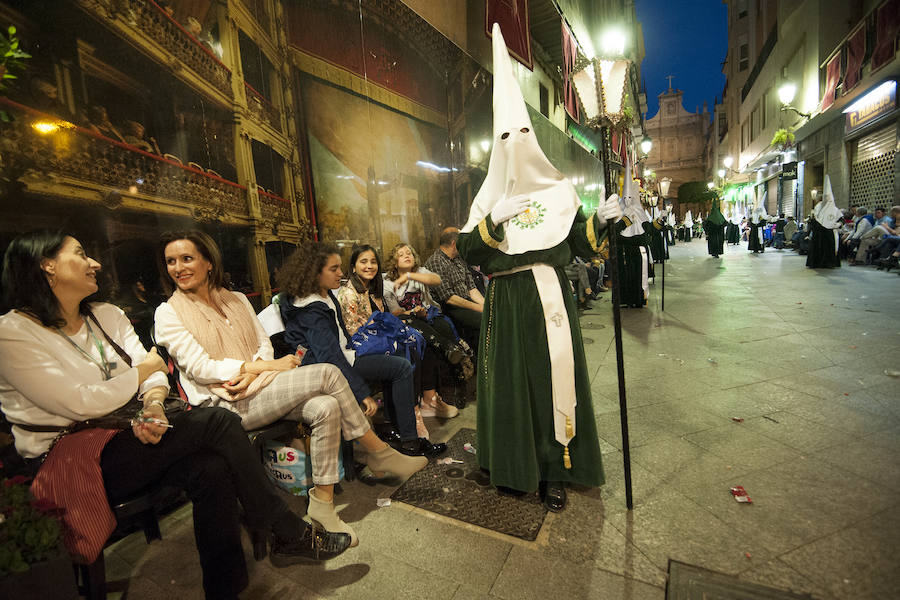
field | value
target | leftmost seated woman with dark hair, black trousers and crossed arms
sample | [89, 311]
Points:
[63, 361]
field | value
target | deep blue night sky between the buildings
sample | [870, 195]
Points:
[687, 39]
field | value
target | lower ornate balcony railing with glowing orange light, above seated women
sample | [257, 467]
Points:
[66, 154]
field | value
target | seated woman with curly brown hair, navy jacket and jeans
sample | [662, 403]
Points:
[314, 322]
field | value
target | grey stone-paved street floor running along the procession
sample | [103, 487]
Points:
[799, 355]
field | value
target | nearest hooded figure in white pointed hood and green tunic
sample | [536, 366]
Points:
[536, 427]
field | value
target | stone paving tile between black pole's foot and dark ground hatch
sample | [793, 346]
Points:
[672, 526]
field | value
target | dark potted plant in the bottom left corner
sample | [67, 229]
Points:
[33, 561]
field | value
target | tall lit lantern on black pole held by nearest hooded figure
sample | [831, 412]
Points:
[600, 84]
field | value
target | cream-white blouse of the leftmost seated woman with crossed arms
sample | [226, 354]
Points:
[44, 380]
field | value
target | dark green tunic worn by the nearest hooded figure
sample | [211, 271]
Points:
[516, 439]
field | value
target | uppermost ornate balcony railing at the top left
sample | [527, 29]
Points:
[156, 25]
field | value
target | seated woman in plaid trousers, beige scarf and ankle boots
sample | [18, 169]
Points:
[225, 359]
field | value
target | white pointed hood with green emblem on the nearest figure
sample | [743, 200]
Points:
[518, 167]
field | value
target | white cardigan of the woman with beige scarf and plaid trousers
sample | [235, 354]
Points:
[196, 368]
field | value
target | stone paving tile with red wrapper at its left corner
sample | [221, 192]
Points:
[797, 502]
